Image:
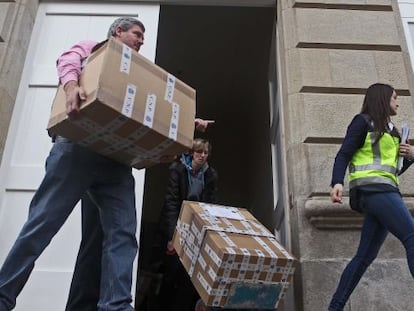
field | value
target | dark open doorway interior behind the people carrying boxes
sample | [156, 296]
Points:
[223, 53]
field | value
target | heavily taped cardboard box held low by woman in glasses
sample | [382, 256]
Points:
[233, 260]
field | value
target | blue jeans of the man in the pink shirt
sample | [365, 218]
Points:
[71, 171]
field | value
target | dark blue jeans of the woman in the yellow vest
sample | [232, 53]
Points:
[384, 212]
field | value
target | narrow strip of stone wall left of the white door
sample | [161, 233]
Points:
[16, 23]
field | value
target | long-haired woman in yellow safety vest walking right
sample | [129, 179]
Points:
[371, 151]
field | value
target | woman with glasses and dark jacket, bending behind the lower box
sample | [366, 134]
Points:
[191, 178]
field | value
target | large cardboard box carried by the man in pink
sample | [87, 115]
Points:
[135, 112]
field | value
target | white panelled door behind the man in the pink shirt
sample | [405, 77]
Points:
[58, 26]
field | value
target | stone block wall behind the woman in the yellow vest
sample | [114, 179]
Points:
[330, 52]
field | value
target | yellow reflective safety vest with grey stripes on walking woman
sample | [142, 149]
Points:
[375, 163]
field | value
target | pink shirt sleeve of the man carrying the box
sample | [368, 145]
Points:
[70, 63]
